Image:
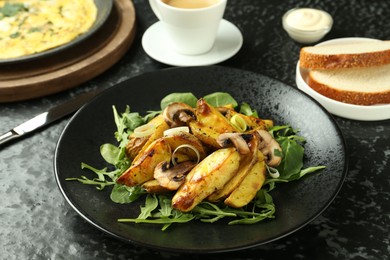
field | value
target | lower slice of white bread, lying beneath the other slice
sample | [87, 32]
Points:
[360, 86]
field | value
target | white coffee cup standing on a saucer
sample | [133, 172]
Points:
[190, 31]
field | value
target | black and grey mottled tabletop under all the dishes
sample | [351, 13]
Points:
[37, 223]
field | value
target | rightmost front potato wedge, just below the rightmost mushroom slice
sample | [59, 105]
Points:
[250, 185]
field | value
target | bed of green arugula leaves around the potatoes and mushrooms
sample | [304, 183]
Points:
[157, 208]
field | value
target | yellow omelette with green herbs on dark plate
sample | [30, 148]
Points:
[33, 26]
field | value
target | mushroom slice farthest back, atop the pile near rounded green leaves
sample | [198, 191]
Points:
[178, 114]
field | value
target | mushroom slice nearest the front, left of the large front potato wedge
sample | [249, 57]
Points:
[172, 176]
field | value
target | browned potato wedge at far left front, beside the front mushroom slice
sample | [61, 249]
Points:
[142, 168]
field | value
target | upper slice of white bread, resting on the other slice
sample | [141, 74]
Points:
[343, 55]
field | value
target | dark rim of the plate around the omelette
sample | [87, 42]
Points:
[104, 9]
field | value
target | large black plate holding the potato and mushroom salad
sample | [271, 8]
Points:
[297, 203]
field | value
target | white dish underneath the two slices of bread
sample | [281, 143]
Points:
[350, 111]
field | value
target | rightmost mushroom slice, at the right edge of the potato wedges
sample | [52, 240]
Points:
[267, 146]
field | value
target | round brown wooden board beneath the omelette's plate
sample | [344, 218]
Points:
[69, 68]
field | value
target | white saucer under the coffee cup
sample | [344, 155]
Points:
[228, 42]
